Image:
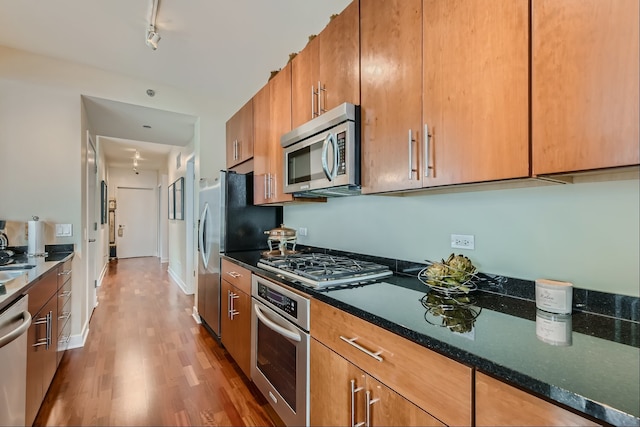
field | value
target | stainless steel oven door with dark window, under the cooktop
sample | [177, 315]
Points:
[280, 363]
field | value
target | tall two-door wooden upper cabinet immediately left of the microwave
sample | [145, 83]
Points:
[272, 119]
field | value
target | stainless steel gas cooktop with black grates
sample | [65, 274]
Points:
[320, 270]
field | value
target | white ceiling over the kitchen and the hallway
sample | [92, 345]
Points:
[225, 49]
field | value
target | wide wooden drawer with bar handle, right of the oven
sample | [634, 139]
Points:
[434, 382]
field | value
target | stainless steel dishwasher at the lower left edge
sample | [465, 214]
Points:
[14, 323]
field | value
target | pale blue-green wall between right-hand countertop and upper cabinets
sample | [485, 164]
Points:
[587, 233]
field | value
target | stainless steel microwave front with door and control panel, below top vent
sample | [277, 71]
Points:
[325, 160]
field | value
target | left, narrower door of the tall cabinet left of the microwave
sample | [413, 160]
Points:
[261, 144]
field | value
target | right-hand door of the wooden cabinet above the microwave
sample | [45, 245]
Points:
[340, 59]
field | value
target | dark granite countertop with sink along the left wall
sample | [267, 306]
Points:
[38, 266]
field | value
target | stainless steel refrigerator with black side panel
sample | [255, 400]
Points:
[229, 222]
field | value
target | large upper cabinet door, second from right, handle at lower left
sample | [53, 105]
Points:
[476, 62]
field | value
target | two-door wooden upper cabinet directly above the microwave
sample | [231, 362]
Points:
[331, 60]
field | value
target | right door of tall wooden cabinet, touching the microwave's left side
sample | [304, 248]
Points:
[280, 121]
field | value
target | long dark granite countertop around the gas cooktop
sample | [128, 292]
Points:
[593, 365]
